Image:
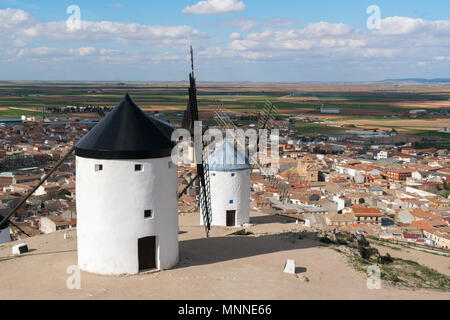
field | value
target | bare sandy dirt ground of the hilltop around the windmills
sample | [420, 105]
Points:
[220, 267]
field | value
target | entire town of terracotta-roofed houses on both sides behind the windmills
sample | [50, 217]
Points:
[388, 191]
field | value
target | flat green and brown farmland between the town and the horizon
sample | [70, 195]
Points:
[380, 106]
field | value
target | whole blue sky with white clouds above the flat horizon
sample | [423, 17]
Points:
[233, 40]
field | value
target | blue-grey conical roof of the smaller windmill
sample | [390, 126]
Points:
[227, 158]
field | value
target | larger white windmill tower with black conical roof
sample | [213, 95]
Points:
[127, 215]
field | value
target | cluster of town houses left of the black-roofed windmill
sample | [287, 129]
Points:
[27, 153]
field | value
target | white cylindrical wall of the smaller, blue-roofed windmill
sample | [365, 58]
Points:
[225, 187]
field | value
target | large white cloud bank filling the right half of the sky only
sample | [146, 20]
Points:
[323, 40]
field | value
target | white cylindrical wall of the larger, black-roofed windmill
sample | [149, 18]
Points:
[110, 213]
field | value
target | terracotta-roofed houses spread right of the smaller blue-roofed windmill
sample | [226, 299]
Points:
[395, 198]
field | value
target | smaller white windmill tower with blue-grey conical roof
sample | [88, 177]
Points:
[229, 172]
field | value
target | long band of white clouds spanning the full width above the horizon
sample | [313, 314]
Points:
[402, 41]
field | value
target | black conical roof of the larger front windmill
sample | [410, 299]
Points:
[126, 132]
